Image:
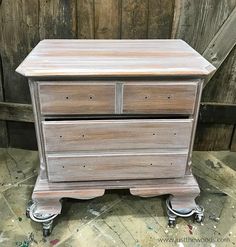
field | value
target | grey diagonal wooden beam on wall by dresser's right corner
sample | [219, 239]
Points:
[222, 44]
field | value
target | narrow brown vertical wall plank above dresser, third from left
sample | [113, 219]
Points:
[85, 20]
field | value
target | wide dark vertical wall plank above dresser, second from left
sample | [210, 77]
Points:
[57, 19]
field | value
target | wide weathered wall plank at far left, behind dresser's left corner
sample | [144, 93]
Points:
[18, 35]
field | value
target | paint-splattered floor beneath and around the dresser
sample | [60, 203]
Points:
[116, 219]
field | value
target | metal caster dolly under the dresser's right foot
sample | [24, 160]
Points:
[198, 213]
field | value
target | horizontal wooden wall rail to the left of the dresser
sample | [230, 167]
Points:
[16, 112]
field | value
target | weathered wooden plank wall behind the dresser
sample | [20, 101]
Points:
[24, 23]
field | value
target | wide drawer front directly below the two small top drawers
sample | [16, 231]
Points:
[93, 135]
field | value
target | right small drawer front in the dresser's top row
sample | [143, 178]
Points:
[159, 98]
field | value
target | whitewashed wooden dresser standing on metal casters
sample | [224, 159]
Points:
[112, 114]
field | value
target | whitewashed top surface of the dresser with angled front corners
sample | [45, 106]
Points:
[108, 58]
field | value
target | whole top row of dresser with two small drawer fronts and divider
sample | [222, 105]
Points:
[110, 97]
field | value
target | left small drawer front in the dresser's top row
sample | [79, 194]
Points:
[71, 98]
